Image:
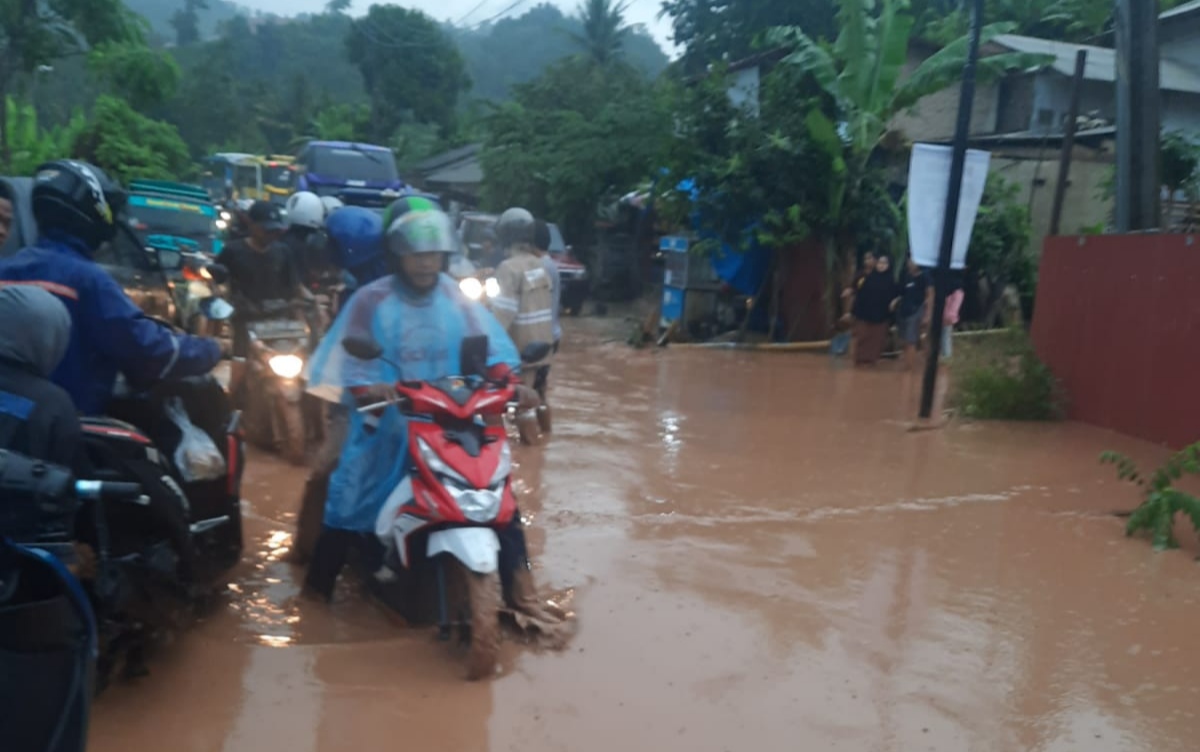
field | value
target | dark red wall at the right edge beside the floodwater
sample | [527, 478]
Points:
[1118, 318]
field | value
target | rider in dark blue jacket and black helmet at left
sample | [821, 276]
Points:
[77, 208]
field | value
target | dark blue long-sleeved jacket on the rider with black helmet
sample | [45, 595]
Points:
[109, 333]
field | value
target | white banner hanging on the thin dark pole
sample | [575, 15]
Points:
[929, 179]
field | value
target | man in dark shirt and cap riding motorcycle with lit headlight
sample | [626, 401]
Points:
[262, 278]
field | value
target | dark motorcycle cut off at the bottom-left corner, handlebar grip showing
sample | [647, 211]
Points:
[49, 635]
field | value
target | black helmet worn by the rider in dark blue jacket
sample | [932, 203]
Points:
[79, 200]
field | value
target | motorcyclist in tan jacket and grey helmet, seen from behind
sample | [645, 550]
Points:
[525, 306]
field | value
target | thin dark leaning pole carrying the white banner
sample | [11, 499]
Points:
[943, 276]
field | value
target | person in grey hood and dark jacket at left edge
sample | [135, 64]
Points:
[38, 418]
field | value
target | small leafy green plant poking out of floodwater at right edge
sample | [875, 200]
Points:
[1163, 501]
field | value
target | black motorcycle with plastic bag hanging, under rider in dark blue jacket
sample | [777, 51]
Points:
[182, 443]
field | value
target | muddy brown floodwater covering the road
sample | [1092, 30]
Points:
[764, 560]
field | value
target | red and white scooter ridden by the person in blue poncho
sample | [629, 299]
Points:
[457, 497]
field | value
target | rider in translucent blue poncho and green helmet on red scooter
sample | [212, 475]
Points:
[421, 318]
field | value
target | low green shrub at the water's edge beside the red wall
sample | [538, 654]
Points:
[1005, 380]
